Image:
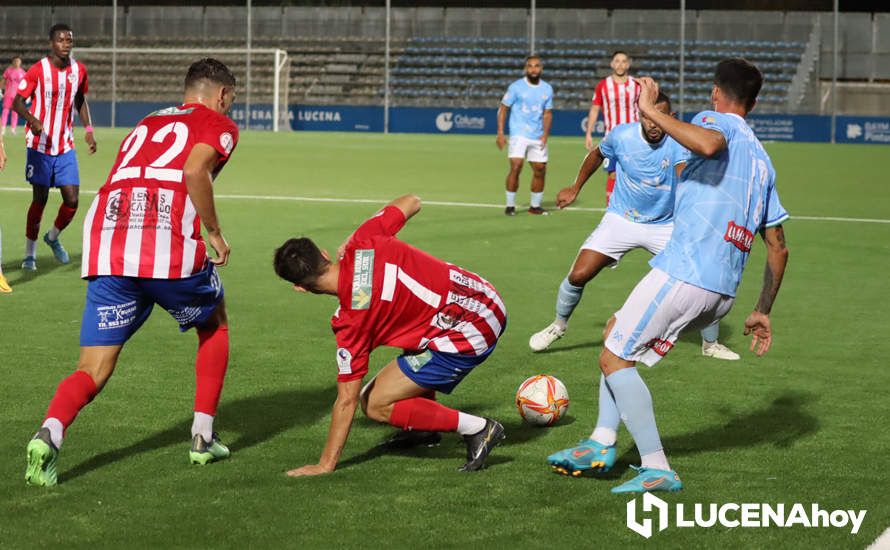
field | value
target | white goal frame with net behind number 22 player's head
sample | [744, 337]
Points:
[155, 75]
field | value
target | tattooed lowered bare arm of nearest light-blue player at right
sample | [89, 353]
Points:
[758, 322]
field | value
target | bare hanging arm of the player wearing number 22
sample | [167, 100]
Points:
[197, 173]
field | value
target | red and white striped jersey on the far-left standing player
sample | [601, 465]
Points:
[52, 92]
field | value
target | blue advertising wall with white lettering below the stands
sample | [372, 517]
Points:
[430, 120]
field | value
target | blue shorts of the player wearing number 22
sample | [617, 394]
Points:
[117, 306]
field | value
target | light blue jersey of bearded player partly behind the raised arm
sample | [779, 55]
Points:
[645, 174]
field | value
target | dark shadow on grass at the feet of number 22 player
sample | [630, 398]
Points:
[255, 419]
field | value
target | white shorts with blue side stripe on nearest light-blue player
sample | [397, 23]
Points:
[658, 308]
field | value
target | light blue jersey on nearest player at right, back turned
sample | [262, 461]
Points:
[722, 202]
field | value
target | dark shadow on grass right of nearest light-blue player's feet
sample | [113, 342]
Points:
[780, 424]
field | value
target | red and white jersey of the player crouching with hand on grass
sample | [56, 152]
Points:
[392, 294]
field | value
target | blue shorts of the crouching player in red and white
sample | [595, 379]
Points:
[439, 371]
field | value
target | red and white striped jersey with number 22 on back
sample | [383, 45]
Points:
[142, 222]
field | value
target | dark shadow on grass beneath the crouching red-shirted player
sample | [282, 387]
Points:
[452, 446]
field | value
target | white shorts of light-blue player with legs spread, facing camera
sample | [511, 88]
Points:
[616, 235]
